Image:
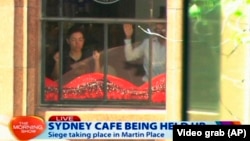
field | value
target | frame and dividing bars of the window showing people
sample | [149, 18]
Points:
[106, 22]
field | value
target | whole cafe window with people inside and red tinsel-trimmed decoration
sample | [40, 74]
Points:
[119, 82]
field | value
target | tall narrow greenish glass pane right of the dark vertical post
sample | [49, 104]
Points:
[203, 61]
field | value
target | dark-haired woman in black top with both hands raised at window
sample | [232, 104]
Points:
[77, 52]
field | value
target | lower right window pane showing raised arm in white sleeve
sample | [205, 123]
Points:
[138, 62]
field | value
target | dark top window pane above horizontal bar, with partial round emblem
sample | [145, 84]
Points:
[104, 9]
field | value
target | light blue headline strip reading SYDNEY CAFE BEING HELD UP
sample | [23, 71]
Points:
[111, 130]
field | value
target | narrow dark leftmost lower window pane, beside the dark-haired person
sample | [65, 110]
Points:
[50, 43]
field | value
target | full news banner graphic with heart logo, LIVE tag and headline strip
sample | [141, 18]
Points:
[72, 127]
